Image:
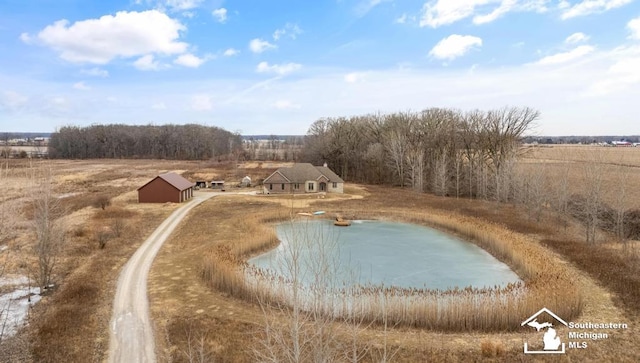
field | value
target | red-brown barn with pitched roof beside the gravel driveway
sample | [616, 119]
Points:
[168, 187]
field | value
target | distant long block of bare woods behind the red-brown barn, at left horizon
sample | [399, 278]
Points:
[178, 142]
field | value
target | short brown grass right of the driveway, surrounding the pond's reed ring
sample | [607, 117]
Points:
[188, 311]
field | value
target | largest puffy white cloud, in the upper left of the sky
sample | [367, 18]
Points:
[127, 34]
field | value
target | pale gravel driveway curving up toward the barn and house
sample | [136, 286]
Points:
[131, 333]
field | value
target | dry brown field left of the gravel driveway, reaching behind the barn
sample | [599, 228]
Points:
[71, 324]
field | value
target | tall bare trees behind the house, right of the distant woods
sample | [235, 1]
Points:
[438, 150]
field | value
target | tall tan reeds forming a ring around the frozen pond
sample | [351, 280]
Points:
[460, 309]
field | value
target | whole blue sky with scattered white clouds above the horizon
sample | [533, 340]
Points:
[274, 67]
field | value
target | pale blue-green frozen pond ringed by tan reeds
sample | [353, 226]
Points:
[375, 252]
